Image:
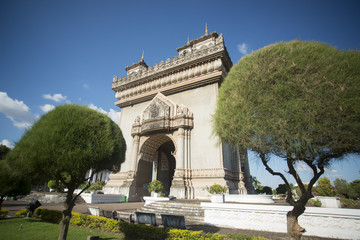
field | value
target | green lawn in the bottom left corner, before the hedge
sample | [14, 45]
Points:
[34, 230]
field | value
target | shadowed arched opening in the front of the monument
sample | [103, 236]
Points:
[156, 161]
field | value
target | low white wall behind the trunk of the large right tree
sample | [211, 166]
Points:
[321, 222]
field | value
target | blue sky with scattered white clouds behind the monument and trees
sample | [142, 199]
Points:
[57, 52]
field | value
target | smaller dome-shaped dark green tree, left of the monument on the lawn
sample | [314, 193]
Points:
[64, 144]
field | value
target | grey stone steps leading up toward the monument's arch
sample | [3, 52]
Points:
[193, 212]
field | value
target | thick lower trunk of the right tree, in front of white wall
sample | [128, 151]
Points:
[294, 229]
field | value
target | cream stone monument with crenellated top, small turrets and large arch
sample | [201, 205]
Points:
[166, 120]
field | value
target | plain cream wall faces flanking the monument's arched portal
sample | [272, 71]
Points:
[205, 147]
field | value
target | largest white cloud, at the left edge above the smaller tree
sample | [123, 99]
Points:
[17, 111]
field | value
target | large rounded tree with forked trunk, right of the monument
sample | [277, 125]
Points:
[295, 100]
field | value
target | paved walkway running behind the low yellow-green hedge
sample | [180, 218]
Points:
[14, 206]
